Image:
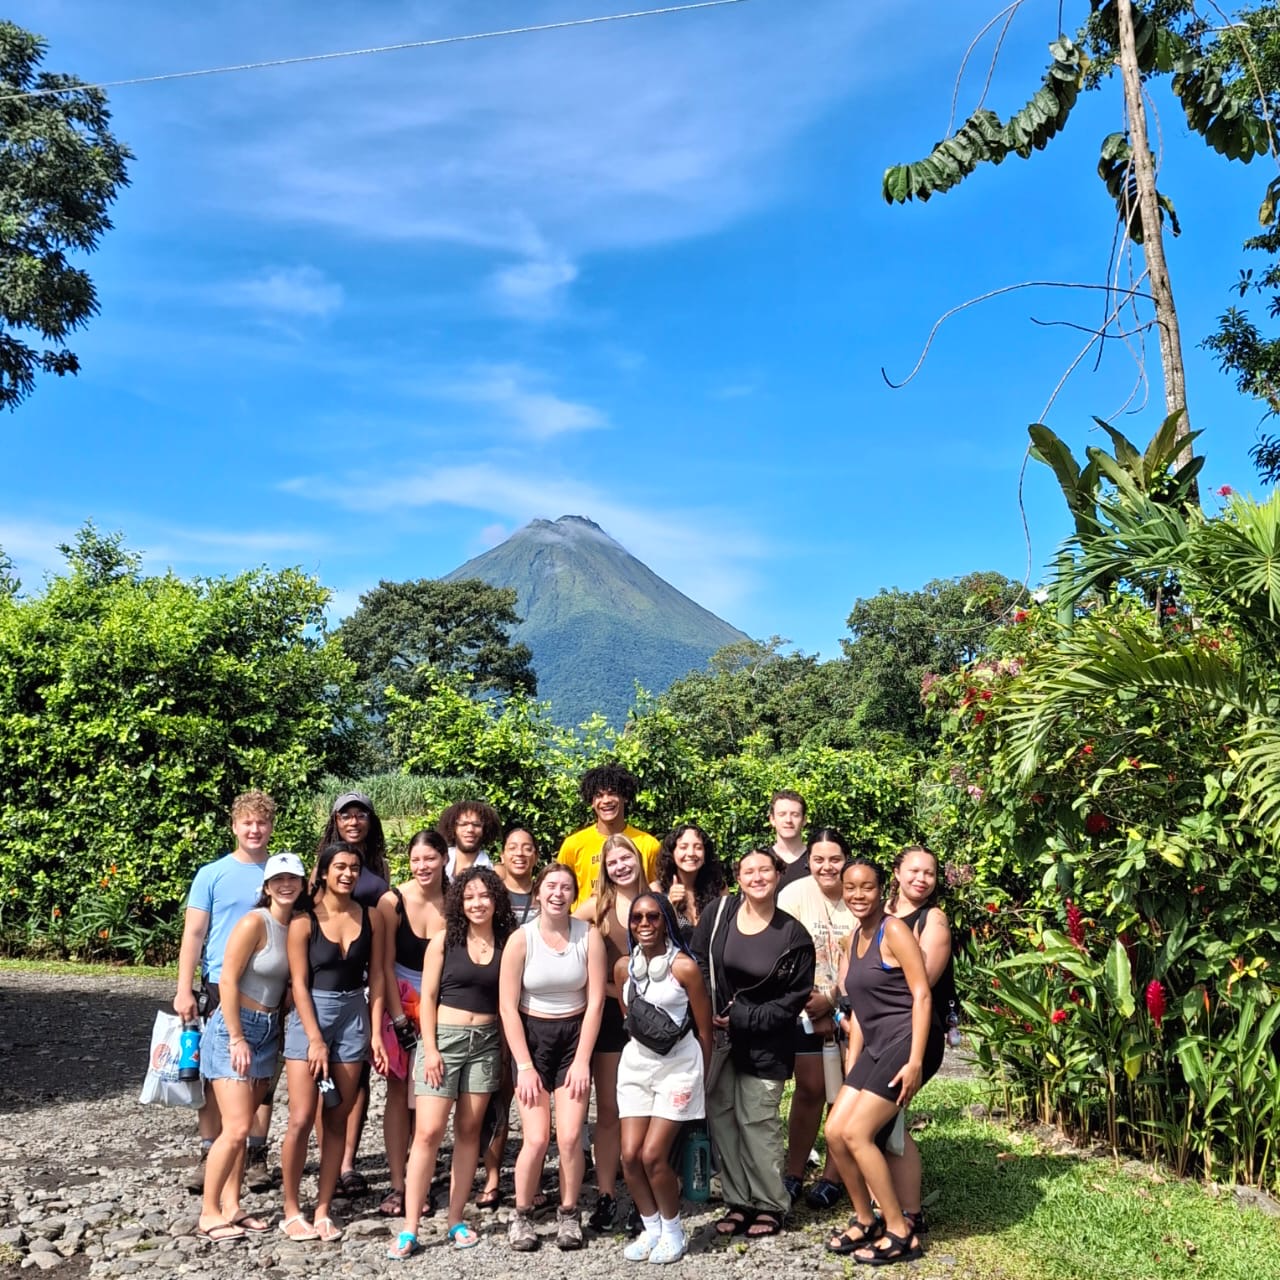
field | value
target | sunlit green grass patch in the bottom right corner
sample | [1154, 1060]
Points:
[1007, 1208]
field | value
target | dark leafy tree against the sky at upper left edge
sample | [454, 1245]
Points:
[61, 168]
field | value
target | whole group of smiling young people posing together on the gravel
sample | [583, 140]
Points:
[624, 970]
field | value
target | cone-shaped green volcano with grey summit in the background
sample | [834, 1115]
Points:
[597, 620]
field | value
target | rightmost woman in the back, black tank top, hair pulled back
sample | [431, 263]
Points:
[913, 899]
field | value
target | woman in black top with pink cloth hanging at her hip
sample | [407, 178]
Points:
[413, 915]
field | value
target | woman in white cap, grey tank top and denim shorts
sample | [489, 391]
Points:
[241, 1044]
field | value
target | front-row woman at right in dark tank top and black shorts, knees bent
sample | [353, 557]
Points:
[889, 989]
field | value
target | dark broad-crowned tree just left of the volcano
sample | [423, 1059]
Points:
[405, 634]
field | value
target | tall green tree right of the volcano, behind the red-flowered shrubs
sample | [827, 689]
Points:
[903, 638]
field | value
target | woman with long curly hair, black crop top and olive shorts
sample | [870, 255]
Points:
[459, 1060]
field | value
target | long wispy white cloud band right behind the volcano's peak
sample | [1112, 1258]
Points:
[707, 555]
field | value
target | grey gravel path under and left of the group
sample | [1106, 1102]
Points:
[94, 1185]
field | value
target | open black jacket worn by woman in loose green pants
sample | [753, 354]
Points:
[762, 1018]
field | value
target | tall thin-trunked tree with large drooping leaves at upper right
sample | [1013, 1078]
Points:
[1163, 36]
